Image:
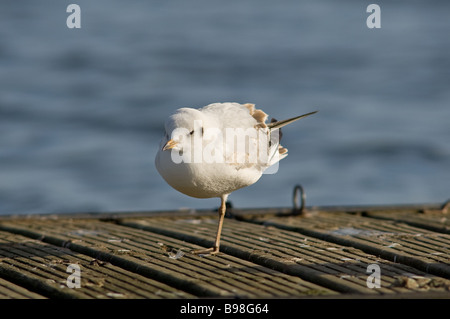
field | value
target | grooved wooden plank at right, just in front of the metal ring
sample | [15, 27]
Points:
[395, 241]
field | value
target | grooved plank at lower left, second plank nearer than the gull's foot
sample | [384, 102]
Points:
[43, 268]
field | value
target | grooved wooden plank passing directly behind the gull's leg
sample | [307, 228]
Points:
[337, 267]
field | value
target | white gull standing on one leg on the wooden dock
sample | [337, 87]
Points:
[214, 150]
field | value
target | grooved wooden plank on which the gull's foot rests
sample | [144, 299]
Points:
[166, 259]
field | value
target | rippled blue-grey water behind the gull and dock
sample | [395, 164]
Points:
[81, 111]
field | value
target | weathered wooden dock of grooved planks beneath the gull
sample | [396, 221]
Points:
[326, 252]
